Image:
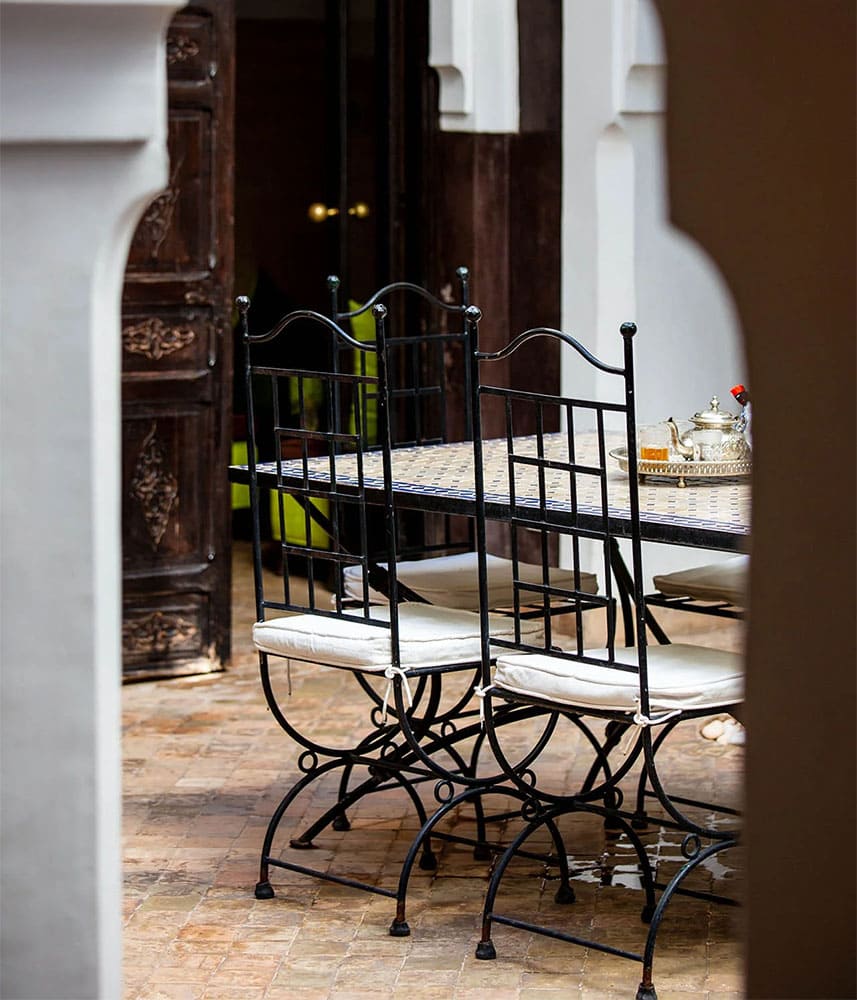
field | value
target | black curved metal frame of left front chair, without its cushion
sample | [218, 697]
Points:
[403, 745]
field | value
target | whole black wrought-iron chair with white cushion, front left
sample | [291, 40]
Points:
[406, 640]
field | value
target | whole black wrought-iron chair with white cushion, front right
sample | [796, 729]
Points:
[639, 690]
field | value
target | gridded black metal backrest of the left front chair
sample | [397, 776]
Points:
[304, 425]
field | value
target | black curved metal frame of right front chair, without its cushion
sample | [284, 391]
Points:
[600, 793]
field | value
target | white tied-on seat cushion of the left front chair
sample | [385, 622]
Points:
[428, 636]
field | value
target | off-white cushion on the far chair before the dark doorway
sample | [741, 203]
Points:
[453, 581]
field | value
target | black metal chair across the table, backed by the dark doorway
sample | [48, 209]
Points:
[429, 403]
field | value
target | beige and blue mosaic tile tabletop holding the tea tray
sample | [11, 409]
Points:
[713, 513]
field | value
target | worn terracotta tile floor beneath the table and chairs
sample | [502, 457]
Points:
[205, 765]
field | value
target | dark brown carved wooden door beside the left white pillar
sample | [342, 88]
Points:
[176, 371]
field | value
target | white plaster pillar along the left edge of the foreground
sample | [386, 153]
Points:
[82, 138]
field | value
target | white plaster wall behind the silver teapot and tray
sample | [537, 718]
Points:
[622, 260]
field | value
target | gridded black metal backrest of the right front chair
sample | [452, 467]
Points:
[545, 483]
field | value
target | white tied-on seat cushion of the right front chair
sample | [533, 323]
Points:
[680, 676]
